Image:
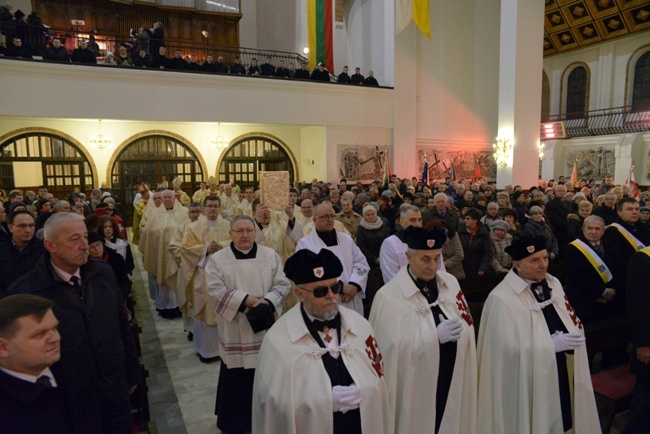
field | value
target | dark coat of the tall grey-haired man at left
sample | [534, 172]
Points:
[95, 335]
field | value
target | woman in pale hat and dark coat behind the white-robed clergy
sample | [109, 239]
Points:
[371, 232]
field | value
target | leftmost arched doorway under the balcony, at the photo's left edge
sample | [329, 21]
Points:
[34, 158]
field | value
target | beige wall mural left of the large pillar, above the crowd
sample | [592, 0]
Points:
[364, 163]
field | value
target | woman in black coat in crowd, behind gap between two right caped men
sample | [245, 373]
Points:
[477, 246]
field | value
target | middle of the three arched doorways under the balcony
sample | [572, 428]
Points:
[153, 158]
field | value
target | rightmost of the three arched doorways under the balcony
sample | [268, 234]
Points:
[253, 153]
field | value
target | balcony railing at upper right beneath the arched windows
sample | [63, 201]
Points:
[618, 120]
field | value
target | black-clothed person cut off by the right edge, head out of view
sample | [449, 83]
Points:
[638, 304]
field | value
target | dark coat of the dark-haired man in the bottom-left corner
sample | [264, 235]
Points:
[29, 408]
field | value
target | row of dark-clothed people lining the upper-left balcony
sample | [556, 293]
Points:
[146, 49]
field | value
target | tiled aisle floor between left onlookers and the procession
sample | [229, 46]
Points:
[181, 389]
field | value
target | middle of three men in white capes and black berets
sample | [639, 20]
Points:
[423, 325]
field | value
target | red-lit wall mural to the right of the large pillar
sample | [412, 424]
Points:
[456, 164]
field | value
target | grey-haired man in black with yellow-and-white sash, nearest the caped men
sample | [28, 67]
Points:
[587, 285]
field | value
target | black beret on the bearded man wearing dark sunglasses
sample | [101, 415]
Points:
[306, 266]
